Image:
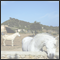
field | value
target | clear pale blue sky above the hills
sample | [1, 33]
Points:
[45, 12]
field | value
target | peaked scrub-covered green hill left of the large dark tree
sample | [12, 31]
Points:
[12, 22]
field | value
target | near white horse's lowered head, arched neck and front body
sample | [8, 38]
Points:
[37, 43]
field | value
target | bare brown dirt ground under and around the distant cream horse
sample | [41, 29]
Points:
[17, 43]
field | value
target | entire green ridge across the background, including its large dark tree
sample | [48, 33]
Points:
[15, 23]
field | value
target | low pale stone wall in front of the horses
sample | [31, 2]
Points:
[25, 55]
